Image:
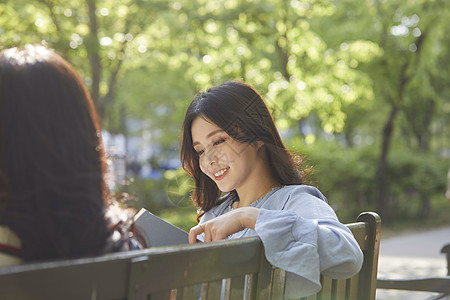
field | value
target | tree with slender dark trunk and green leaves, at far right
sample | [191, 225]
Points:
[407, 77]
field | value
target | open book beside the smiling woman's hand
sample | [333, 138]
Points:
[157, 232]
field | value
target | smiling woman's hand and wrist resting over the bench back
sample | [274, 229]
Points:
[221, 227]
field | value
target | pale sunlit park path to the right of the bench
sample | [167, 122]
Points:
[412, 255]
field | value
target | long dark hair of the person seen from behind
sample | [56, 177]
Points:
[52, 189]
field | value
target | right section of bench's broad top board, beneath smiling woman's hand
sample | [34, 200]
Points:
[177, 268]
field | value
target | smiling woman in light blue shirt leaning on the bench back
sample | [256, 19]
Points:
[248, 184]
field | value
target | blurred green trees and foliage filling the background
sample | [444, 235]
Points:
[360, 87]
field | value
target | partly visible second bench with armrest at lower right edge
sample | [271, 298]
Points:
[428, 284]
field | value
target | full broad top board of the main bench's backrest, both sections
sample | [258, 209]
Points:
[106, 277]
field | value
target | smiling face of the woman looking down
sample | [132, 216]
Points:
[225, 160]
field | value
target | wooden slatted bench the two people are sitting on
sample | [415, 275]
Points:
[231, 269]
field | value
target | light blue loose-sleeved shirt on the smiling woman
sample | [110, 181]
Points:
[302, 235]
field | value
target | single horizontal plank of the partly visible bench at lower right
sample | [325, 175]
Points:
[429, 284]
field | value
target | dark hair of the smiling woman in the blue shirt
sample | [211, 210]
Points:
[240, 111]
